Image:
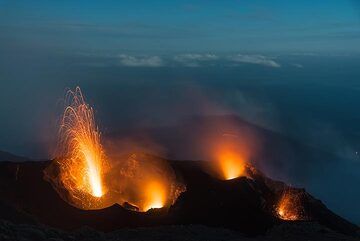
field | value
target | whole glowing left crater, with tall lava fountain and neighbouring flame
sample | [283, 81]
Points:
[85, 178]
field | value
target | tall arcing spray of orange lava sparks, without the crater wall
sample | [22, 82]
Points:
[81, 148]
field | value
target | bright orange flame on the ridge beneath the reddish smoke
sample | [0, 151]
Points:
[231, 163]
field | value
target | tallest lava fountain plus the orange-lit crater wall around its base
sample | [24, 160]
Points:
[81, 163]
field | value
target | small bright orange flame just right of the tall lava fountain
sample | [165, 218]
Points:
[155, 195]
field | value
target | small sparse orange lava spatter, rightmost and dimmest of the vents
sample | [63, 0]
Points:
[289, 207]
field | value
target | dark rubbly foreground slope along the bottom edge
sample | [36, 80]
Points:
[287, 232]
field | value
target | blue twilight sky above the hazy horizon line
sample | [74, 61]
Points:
[177, 26]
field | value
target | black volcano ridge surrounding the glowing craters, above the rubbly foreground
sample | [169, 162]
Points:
[242, 204]
